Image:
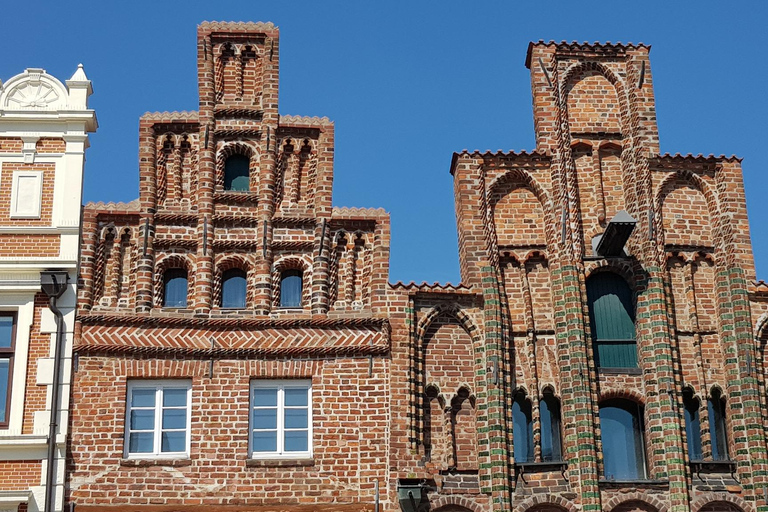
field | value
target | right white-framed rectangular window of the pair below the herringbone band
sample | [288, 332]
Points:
[281, 419]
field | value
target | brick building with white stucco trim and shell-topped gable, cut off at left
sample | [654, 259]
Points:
[44, 128]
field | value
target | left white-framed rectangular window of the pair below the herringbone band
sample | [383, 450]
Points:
[157, 418]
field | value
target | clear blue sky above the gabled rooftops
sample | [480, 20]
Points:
[407, 84]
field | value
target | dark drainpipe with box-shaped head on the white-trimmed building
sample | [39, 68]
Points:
[54, 284]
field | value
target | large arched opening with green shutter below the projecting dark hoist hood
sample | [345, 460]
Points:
[612, 318]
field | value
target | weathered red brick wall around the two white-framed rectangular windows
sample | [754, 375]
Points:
[350, 419]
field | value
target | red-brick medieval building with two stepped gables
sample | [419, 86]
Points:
[240, 347]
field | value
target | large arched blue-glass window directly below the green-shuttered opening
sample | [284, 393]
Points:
[621, 425]
